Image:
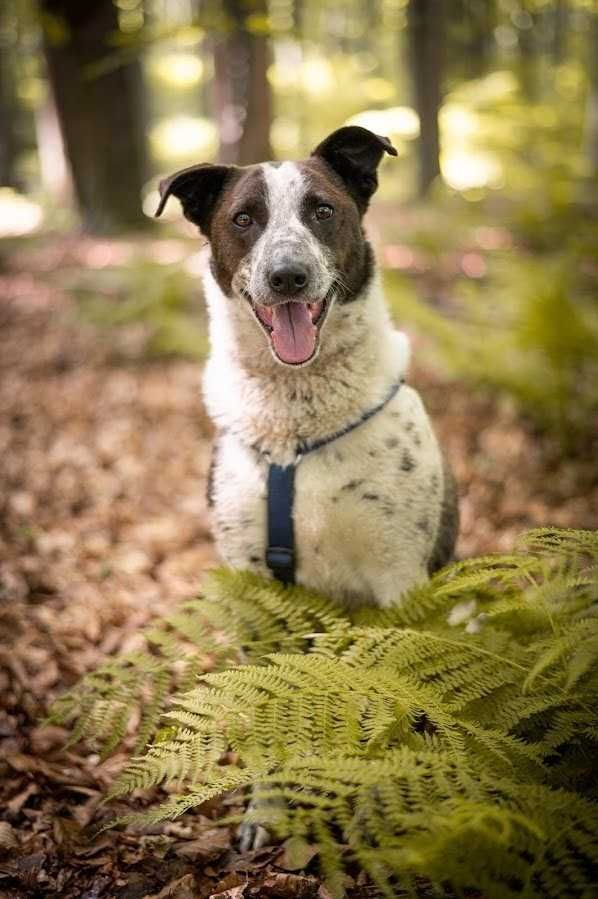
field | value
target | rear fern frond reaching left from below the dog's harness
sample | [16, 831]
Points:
[238, 616]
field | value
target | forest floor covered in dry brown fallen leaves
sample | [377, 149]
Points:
[103, 525]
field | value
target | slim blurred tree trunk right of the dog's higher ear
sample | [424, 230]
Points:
[425, 32]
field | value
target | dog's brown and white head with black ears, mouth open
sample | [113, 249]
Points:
[286, 238]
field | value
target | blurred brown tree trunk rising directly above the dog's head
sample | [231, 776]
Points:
[242, 96]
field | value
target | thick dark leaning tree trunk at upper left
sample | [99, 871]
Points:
[100, 112]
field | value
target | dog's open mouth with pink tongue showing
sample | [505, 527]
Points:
[293, 328]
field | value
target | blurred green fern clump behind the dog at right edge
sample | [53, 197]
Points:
[530, 330]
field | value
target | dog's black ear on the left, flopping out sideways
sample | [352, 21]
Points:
[198, 188]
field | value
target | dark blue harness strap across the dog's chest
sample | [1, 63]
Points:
[280, 551]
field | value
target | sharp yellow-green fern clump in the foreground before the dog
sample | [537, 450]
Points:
[450, 738]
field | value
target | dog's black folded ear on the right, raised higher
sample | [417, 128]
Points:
[355, 153]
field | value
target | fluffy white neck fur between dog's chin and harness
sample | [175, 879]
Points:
[271, 406]
